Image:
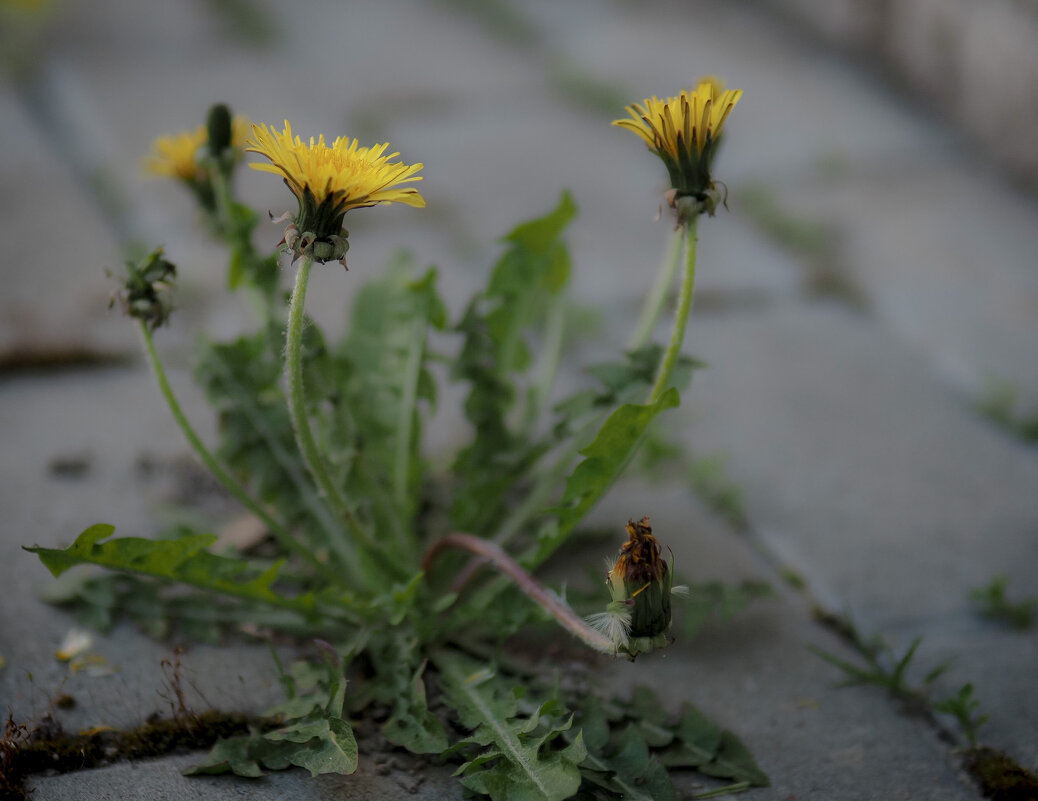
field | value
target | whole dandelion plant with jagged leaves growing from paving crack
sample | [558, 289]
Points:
[371, 551]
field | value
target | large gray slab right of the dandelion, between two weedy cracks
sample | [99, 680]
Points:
[886, 493]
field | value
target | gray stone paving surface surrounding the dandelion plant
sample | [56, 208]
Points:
[851, 432]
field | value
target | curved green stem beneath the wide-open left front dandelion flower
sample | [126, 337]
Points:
[297, 406]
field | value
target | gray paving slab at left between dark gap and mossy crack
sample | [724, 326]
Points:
[106, 422]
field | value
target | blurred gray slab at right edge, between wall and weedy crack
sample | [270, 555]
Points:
[946, 258]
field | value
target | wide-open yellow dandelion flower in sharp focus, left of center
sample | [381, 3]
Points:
[331, 181]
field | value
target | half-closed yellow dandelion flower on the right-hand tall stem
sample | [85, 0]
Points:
[686, 132]
